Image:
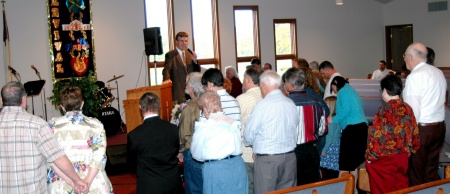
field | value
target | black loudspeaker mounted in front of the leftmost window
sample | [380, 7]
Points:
[153, 43]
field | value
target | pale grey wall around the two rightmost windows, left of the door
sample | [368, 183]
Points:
[349, 36]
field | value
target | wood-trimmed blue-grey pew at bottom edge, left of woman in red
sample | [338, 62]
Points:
[344, 184]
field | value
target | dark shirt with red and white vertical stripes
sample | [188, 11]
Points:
[312, 122]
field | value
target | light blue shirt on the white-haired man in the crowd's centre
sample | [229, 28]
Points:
[272, 126]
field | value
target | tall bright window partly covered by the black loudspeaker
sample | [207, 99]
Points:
[158, 13]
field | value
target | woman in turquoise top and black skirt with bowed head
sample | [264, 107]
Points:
[350, 117]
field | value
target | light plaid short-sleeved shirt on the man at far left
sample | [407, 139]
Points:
[26, 145]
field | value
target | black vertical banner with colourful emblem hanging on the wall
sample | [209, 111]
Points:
[71, 38]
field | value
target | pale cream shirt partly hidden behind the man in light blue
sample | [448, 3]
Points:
[247, 102]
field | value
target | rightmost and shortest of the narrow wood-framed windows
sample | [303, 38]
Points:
[285, 44]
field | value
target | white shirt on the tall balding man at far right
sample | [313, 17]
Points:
[425, 91]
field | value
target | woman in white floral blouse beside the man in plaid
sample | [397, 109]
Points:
[84, 142]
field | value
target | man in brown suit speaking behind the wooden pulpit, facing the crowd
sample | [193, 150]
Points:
[177, 65]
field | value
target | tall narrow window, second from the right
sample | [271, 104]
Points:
[246, 26]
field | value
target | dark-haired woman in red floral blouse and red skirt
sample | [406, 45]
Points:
[393, 136]
